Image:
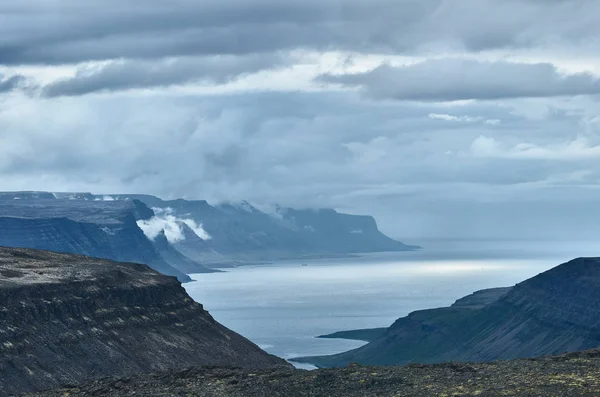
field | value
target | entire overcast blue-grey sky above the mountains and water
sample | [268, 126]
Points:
[444, 118]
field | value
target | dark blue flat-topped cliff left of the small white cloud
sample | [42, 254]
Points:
[93, 228]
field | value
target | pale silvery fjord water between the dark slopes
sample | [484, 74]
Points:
[283, 306]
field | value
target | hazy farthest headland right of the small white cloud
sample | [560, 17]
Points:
[244, 233]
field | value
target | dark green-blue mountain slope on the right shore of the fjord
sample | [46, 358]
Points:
[557, 311]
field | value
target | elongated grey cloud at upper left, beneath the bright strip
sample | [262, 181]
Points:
[126, 74]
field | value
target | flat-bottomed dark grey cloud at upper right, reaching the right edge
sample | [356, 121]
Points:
[459, 79]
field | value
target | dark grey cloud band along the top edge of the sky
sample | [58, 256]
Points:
[37, 31]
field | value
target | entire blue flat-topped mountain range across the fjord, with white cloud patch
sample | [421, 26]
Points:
[180, 237]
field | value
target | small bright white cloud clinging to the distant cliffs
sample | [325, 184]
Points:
[164, 220]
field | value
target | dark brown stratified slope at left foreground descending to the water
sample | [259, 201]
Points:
[66, 319]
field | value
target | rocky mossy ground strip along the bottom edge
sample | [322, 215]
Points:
[575, 374]
